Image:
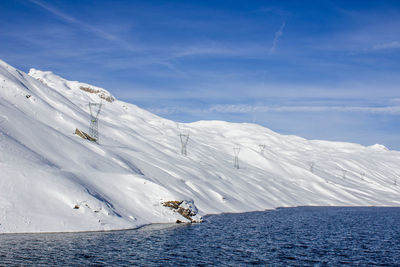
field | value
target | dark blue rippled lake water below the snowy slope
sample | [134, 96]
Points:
[306, 236]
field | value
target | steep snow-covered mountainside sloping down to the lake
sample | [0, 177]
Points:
[53, 180]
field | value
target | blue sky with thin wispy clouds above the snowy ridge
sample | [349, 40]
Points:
[318, 69]
